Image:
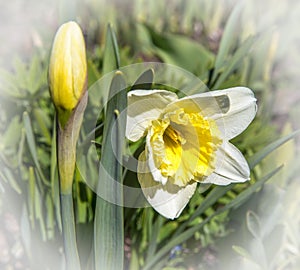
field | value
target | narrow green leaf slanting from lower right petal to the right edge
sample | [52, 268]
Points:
[259, 156]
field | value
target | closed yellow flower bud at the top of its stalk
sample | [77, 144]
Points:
[68, 68]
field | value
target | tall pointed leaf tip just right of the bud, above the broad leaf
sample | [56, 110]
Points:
[111, 57]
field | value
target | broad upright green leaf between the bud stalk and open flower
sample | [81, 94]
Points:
[109, 223]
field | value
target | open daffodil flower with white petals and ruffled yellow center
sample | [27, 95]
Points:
[187, 142]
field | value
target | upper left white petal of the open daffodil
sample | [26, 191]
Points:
[143, 107]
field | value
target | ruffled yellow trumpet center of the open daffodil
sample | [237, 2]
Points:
[183, 146]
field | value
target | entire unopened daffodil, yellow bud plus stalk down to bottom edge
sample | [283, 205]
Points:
[68, 89]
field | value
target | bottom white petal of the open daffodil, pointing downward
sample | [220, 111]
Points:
[169, 200]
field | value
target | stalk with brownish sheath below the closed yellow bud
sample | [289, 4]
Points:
[66, 156]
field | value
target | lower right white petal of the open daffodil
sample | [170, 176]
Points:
[231, 166]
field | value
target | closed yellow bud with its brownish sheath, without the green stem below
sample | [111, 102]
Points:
[68, 89]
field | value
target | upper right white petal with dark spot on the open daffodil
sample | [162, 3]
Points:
[233, 109]
